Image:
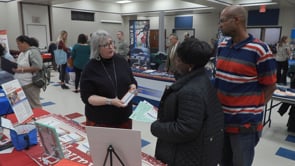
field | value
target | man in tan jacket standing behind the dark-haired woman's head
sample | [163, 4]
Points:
[171, 53]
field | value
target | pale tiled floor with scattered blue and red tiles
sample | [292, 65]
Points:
[276, 146]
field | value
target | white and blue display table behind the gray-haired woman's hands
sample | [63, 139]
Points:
[151, 85]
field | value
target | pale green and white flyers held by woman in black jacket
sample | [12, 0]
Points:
[144, 112]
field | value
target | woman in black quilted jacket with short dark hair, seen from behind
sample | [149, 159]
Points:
[190, 120]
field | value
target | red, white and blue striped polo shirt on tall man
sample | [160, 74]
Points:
[242, 72]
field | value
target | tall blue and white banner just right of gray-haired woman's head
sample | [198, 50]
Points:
[139, 42]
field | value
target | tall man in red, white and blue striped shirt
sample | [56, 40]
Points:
[245, 80]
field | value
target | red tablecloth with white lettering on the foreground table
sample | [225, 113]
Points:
[32, 157]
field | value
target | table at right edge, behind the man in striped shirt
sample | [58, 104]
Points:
[280, 96]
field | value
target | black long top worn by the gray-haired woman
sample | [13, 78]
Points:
[99, 78]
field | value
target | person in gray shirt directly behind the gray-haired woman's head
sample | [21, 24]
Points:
[122, 47]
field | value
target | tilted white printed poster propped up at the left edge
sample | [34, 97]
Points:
[18, 101]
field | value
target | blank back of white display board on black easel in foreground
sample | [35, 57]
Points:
[126, 142]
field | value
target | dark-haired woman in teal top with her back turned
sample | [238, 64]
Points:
[80, 55]
